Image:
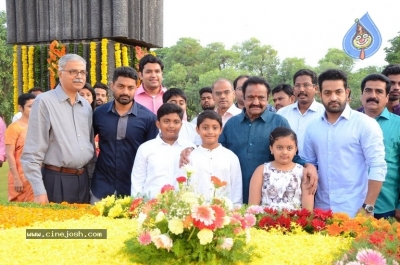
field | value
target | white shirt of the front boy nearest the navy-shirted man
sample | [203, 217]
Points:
[157, 164]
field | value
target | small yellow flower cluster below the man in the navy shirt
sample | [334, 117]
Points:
[114, 207]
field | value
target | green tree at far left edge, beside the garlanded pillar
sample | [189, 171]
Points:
[6, 69]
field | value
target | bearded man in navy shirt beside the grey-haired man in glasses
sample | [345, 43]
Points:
[122, 125]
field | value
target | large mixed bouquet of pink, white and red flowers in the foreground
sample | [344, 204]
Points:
[180, 227]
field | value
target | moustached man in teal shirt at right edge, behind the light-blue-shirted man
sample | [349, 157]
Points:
[375, 90]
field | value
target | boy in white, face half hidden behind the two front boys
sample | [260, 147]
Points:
[188, 130]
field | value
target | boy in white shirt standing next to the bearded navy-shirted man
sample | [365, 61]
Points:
[157, 161]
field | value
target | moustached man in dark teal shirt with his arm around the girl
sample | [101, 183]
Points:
[247, 134]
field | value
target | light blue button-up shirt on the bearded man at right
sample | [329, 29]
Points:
[348, 154]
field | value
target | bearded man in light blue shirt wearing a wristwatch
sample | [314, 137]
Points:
[348, 148]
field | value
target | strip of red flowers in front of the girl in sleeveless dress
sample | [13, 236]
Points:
[311, 222]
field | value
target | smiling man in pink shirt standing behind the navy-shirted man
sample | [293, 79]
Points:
[149, 93]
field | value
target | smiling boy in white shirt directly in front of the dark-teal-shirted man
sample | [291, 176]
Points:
[212, 159]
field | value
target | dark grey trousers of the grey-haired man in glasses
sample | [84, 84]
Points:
[63, 187]
